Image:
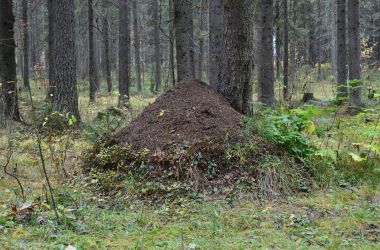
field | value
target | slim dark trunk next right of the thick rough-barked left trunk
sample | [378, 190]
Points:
[93, 53]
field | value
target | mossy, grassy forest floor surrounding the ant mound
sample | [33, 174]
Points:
[344, 215]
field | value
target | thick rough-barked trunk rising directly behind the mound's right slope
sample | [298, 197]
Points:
[236, 86]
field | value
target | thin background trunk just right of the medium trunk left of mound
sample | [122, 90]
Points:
[136, 37]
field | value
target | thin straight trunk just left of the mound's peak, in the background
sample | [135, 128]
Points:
[157, 44]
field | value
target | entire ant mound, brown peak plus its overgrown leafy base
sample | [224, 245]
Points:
[197, 145]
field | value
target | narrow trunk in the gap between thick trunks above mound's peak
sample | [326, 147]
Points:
[203, 30]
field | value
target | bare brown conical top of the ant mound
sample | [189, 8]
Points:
[188, 112]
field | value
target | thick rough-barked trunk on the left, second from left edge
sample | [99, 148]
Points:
[62, 60]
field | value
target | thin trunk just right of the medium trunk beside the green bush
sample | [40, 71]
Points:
[286, 50]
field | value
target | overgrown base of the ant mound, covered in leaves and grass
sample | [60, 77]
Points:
[202, 170]
